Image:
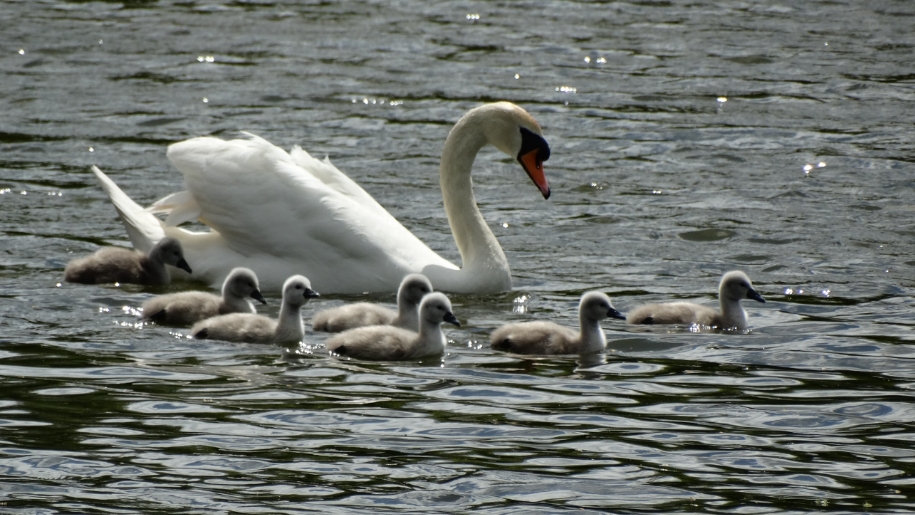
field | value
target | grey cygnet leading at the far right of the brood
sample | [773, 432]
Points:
[734, 287]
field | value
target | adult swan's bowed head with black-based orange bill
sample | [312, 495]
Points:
[515, 132]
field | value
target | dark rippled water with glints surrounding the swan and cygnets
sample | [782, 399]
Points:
[689, 138]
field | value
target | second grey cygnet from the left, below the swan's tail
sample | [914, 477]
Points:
[188, 307]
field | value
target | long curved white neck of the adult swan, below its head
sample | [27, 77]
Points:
[482, 256]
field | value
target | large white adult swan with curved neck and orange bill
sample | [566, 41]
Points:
[281, 213]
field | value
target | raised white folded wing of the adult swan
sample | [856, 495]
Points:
[263, 203]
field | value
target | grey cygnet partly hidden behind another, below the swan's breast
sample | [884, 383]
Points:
[409, 295]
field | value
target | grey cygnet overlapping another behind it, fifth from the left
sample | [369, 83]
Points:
[387, 343]
